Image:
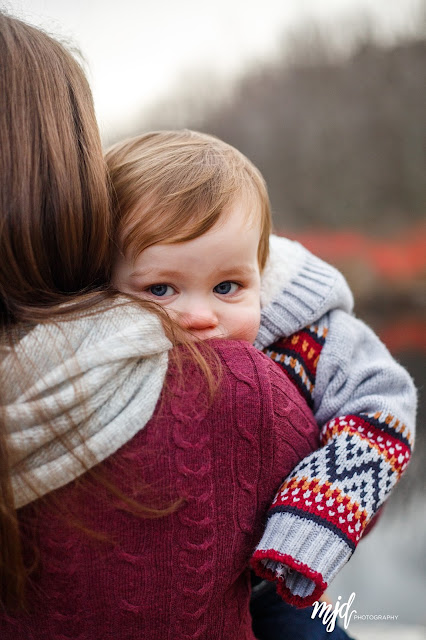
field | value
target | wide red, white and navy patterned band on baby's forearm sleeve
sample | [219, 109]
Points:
[345, 488]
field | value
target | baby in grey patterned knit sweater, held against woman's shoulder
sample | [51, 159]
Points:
[194, 234]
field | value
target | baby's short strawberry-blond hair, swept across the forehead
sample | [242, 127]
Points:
[173, 186]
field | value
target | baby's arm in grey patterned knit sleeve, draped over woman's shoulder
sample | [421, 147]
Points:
[365, 403]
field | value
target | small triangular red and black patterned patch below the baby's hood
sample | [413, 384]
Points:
[298, 356]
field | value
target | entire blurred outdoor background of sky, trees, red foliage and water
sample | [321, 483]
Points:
[328, 99]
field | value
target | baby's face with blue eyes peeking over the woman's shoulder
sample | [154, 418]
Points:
[210, 285]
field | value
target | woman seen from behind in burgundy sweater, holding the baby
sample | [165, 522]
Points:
[132, 486]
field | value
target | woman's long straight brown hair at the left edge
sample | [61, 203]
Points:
[55, 221]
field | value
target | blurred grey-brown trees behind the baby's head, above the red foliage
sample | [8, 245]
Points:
[340, 141]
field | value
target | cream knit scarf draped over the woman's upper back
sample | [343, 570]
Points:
[76, 391]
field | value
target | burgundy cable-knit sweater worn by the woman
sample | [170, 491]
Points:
[183, 575]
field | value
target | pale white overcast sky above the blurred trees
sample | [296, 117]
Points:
[139, 50]
